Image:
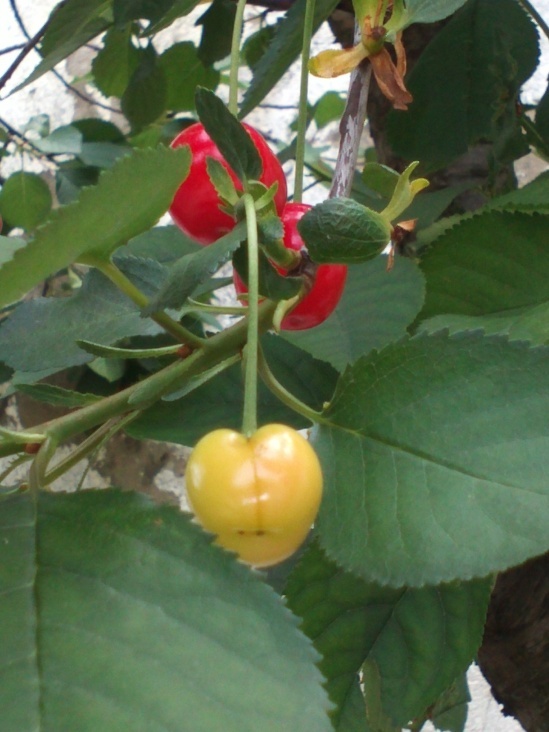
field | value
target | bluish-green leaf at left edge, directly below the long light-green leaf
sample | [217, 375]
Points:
[42, 334]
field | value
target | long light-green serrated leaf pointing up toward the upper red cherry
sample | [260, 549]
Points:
[92, 228]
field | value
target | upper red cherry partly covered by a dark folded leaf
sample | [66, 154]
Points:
[195, 207]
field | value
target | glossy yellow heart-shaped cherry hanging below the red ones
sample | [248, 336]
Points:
[259, 495]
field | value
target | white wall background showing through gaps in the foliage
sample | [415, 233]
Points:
[49, 96]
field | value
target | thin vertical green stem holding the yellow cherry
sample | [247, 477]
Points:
[249, 419]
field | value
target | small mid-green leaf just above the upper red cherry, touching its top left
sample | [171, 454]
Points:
[184, 71]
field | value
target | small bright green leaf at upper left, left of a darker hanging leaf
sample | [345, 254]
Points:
[115, 64]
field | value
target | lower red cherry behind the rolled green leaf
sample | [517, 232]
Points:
[329, 282]
